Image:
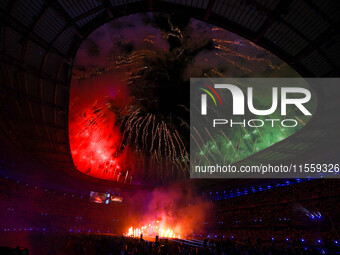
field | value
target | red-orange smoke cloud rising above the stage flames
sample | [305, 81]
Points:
[175, 208]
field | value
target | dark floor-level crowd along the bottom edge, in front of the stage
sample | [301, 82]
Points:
[91, 244]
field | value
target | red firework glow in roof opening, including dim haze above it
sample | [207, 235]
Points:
[94, 139]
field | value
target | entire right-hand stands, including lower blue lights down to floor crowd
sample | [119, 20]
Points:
[305, 213]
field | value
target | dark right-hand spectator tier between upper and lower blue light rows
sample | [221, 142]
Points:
[302, 204]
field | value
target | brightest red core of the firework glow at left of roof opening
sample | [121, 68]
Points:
[94, 143]
